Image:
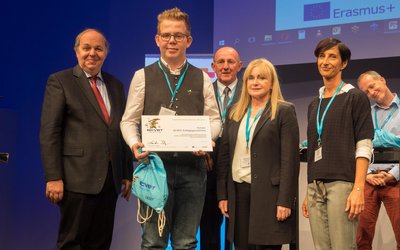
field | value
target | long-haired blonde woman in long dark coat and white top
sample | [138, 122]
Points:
[258, 163]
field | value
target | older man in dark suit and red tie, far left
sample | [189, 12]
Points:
[85, 158]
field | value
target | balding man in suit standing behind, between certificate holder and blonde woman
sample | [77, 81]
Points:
[227, 88]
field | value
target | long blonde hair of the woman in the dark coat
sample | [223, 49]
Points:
[268, 70]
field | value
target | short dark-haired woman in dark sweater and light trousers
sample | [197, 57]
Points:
[339, 136]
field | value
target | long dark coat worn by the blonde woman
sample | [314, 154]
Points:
[274, 175]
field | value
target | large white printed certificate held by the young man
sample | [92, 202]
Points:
[176, 133]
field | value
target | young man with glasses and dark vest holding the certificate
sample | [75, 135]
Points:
[172, 86]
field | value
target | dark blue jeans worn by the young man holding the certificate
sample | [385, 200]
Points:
[187, 188]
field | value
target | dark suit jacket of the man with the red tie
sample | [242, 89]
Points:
[76, 142]
